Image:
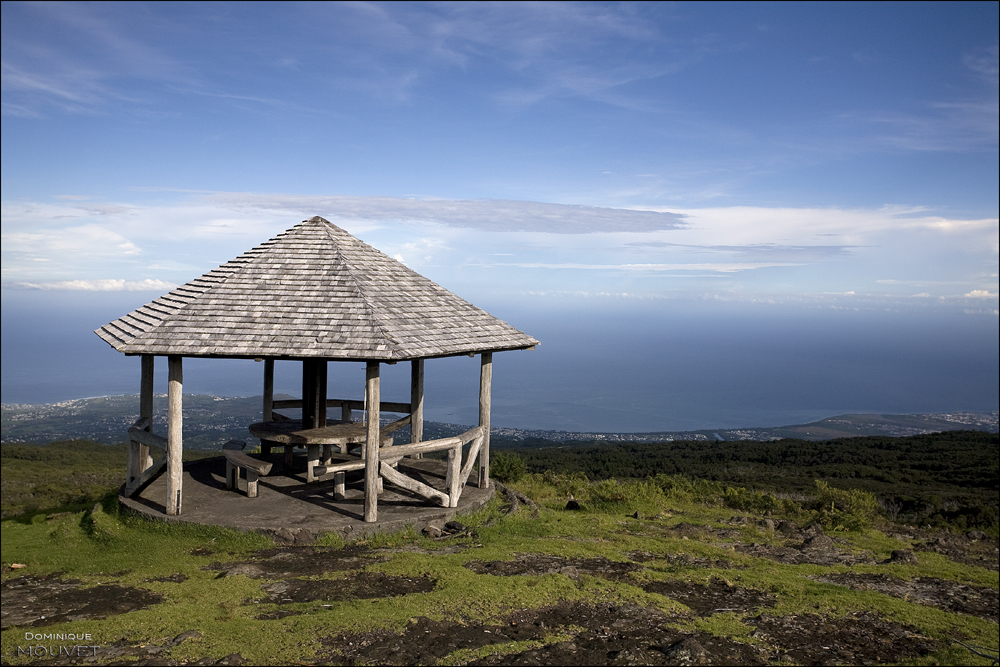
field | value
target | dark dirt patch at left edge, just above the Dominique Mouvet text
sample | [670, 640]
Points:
[33, 601]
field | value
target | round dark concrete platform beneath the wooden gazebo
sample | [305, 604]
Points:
[295, 511]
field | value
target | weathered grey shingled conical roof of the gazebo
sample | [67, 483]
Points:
[313, 291]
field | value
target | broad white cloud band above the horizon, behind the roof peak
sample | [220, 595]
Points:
[509, 245]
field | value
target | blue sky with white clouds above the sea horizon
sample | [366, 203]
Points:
[821, 156]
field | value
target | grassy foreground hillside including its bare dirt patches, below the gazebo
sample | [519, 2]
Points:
[664, 572]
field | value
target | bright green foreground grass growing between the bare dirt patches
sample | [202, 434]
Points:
[99, 545]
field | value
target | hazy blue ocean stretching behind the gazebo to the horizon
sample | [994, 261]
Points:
[603, 365]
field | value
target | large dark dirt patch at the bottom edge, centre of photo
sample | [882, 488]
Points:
[598, 635]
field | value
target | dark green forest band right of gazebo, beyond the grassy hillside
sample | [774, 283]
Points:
[943, 479]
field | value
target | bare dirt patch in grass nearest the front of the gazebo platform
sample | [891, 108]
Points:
[284, 562]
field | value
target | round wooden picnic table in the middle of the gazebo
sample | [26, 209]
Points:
[289, 433]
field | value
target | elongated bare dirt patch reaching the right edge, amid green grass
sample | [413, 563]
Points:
[941, 593]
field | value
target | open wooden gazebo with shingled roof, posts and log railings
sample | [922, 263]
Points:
[315, 294]
